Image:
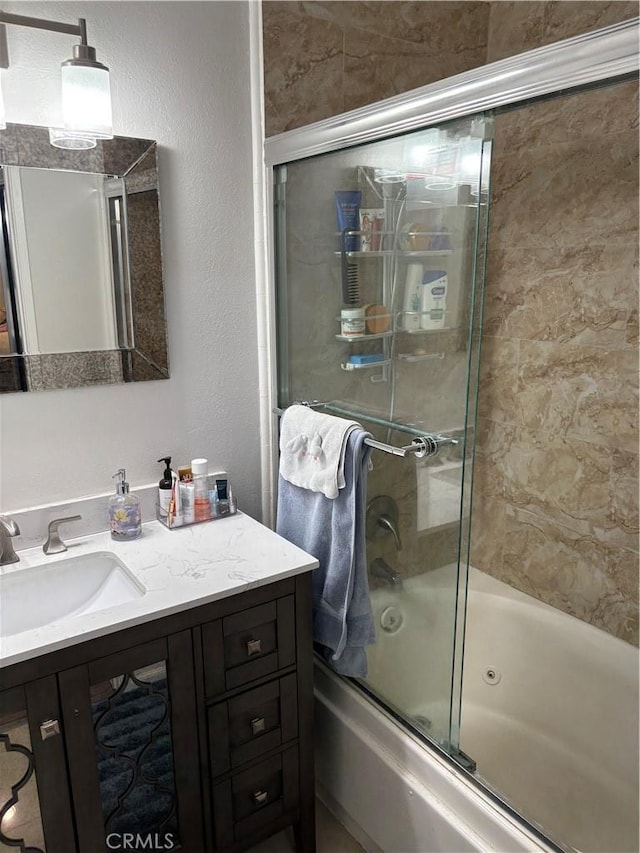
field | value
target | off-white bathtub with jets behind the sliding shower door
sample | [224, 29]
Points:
[550, 714]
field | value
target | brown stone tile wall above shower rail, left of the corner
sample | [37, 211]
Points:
[323, 58]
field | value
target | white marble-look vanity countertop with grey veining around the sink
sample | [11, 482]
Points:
[180, 569]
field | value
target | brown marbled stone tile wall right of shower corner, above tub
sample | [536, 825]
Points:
[556, 490]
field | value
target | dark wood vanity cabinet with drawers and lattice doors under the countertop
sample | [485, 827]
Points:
[194, 731]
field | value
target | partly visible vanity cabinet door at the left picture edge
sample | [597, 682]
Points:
[35, 806]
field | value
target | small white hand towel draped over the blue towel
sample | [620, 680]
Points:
[312, 448]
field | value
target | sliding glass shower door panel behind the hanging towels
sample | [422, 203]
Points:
[380, 264]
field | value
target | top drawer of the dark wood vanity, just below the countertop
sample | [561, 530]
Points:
[254, 643]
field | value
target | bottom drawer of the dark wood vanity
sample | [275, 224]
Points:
[255, 797]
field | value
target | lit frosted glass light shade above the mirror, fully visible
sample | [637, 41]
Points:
[86, 100]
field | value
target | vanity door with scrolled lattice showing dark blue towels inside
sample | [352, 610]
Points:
[131, 729]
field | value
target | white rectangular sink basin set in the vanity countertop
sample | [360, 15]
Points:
[54, 592]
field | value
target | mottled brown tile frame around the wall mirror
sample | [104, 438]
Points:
[142, 353]
